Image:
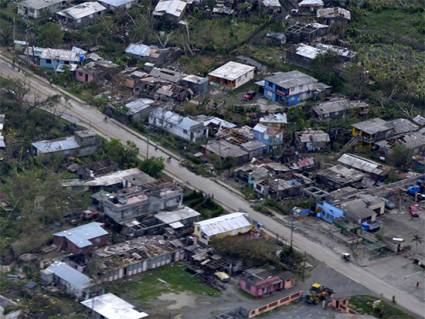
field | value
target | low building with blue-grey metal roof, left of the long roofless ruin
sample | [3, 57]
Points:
[68, 279]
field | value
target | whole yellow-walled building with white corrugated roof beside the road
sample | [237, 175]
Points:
[222, 226]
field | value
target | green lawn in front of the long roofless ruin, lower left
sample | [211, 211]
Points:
[167, 279]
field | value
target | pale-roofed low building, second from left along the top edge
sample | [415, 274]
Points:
[81, 14]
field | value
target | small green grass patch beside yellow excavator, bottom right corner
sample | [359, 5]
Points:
[364, 305]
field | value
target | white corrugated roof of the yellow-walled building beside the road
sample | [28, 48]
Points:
[224, 224]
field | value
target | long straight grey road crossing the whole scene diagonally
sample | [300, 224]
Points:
[77, 111]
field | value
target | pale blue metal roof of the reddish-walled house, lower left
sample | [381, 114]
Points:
[81, 235]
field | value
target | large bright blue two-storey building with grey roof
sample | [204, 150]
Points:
[291, 88]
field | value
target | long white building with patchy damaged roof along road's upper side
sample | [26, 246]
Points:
[181, 126]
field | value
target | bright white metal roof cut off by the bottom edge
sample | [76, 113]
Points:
[110, 306]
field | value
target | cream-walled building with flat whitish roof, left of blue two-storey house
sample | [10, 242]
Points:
[232, 74]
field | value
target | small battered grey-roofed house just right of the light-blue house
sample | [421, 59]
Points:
[311, 140]
